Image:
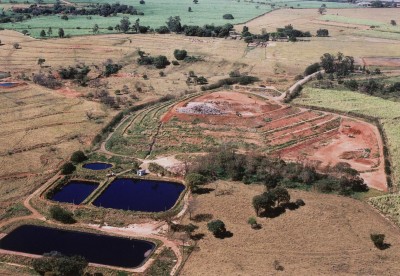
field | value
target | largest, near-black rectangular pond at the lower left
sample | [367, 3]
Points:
[100, 249]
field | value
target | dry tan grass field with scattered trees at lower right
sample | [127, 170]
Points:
[329, 235]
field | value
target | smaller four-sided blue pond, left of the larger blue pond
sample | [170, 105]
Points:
[74, 192]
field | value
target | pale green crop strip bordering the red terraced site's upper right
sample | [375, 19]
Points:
[346, 101]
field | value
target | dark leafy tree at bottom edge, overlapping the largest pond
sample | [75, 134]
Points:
[55, 263]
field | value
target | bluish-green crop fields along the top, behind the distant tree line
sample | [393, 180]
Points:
[156, 14]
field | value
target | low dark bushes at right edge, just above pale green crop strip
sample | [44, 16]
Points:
[372, 86]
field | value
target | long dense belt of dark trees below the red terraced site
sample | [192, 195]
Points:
[225, 163]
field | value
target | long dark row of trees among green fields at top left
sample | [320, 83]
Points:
[98, 9]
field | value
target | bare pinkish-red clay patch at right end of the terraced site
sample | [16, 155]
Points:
[356, 142]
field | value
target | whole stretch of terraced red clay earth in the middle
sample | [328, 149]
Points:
[292, 133]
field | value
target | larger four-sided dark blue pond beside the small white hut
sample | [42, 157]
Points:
[140, 195]
